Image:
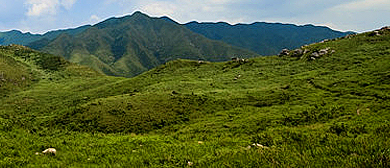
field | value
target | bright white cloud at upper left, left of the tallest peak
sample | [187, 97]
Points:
[47, 7]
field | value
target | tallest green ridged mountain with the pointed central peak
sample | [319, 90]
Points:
[130, 45]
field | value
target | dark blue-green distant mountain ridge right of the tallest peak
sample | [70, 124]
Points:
[265, 38]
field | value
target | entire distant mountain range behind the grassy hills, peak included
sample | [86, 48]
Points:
[130, 45]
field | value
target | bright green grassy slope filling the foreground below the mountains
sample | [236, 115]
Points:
[305, 112]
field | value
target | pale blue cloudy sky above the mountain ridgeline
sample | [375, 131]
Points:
[40, 16]
